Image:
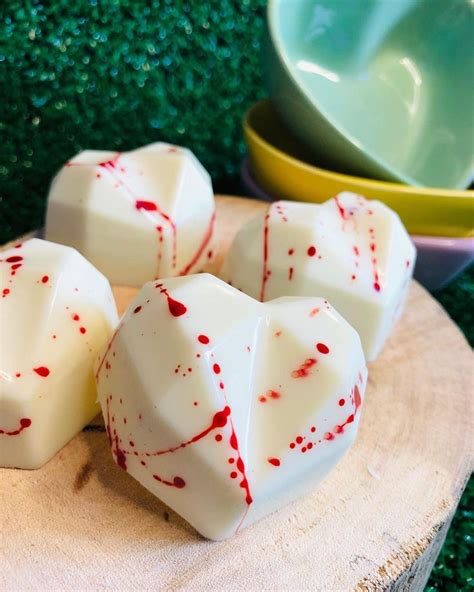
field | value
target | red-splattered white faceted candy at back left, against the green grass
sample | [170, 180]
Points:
[135, 215]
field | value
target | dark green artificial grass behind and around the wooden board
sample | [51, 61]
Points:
[118, 74]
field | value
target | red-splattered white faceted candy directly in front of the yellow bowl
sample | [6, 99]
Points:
[354, 252]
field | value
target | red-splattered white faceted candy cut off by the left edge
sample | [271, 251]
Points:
[56, 313]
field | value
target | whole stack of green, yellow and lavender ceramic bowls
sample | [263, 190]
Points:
[374, 98]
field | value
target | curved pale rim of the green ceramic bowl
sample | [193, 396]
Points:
[358, 144]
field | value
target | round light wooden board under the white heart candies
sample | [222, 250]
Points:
[376, 523]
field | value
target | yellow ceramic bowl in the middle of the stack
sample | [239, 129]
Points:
[281, 166]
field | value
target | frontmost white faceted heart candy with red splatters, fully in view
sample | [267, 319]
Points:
[224, 407]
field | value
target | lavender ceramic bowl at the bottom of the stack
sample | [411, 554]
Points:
[439, 259]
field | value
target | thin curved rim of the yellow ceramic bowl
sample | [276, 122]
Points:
[372, 183]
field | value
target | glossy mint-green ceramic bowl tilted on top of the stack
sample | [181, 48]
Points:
[379, 88]
